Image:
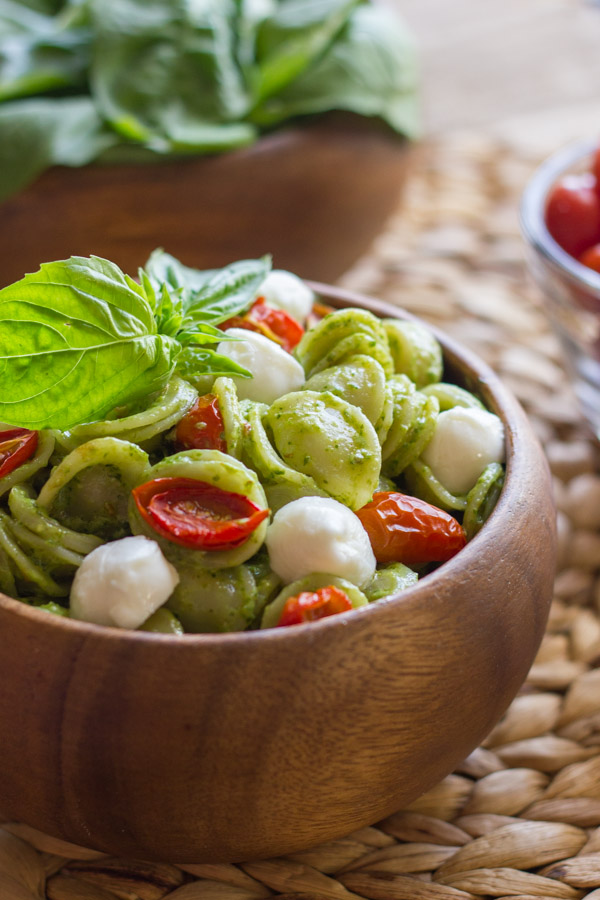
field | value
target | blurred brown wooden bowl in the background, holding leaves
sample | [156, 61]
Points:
[314, 196]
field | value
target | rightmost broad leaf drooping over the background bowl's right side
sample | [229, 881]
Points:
[370, 70]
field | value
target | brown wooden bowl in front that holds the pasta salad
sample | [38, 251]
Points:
[237, 746]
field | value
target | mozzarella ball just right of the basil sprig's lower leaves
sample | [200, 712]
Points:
[275, 372]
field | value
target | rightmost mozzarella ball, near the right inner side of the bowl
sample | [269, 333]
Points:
[464, 442]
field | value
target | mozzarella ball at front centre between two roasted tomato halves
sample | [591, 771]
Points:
[318, 534]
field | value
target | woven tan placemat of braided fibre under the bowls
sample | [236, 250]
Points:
[520, 818]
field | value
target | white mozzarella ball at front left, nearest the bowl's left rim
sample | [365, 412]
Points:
[122, 583]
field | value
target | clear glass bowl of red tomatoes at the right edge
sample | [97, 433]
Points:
[560, 221]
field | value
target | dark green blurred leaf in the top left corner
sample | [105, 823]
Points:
[39, 53]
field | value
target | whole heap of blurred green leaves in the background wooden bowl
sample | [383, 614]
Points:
[142, 78]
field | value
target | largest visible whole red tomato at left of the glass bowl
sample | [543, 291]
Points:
[573, 213]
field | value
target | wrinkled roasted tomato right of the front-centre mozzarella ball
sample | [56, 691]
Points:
[408, 530]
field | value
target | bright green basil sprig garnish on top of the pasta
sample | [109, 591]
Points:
[79, 337]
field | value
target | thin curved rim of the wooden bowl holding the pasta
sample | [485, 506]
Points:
[513, 417]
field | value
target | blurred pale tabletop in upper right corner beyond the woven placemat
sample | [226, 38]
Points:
[486, 62]
